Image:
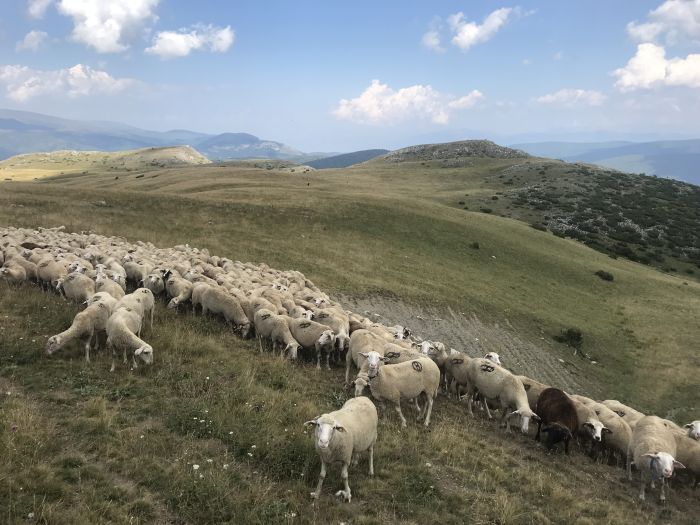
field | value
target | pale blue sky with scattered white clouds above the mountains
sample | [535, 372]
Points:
[341, 76]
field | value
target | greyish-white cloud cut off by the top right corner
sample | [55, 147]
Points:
[675, 19]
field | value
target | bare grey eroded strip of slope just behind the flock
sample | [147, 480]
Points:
[463, 331]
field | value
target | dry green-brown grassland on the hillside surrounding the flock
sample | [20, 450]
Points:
[93, 447]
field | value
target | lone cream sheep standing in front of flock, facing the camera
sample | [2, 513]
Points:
[341, 435]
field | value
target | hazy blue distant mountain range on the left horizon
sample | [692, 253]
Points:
[26, 132]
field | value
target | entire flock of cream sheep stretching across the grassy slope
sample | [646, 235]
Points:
[290, 315]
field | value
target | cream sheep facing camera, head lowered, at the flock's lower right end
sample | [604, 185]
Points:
[652, 448]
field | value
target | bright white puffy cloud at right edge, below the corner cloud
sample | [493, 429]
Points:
[649, 67]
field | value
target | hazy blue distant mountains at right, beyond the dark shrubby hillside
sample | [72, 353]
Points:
[676, 159]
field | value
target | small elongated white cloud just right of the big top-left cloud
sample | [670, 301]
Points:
[171, 44]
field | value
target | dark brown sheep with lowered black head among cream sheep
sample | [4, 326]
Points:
[558, 415]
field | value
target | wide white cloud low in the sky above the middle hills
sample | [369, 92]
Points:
[379, 104]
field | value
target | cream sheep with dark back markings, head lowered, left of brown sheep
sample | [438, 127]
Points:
[495, 382]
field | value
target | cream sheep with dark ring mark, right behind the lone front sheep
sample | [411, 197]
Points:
[404, 381]
